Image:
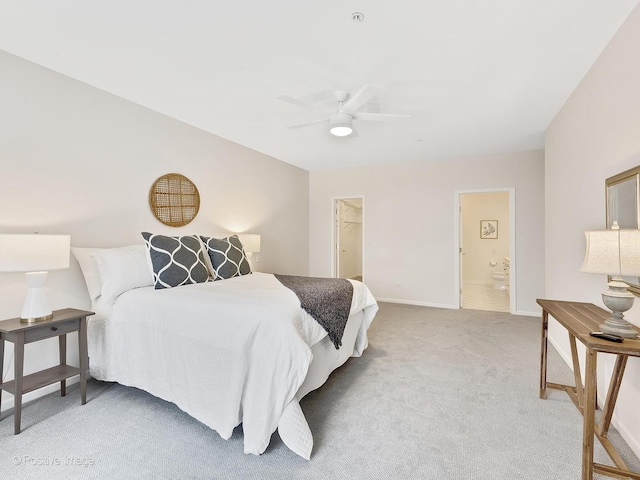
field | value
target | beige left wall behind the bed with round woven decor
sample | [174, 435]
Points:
[77, 160]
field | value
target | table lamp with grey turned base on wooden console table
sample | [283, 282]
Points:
[614, 252]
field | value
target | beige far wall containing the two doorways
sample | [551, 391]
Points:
[410, 223]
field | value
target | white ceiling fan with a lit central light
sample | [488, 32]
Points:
[340, 123]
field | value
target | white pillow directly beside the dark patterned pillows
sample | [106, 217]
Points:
[122, 269]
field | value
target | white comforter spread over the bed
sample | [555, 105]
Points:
[227, 352]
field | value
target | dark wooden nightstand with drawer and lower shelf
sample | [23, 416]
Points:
[63, 322]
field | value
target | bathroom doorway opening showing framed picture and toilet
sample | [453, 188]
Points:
[485, 245]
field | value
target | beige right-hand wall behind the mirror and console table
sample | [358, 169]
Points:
[594, 136]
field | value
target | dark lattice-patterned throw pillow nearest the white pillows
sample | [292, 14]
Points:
[176, 261]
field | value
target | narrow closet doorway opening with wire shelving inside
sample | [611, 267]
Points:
[348, 238]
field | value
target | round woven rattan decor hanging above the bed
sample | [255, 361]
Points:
[174, 200]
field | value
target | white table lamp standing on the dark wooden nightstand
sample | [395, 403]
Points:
[34, 254]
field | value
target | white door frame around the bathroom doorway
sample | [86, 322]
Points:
[512, 243]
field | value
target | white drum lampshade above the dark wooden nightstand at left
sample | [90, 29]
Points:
[33, 252]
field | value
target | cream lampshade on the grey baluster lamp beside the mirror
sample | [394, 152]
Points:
[612, 252]
